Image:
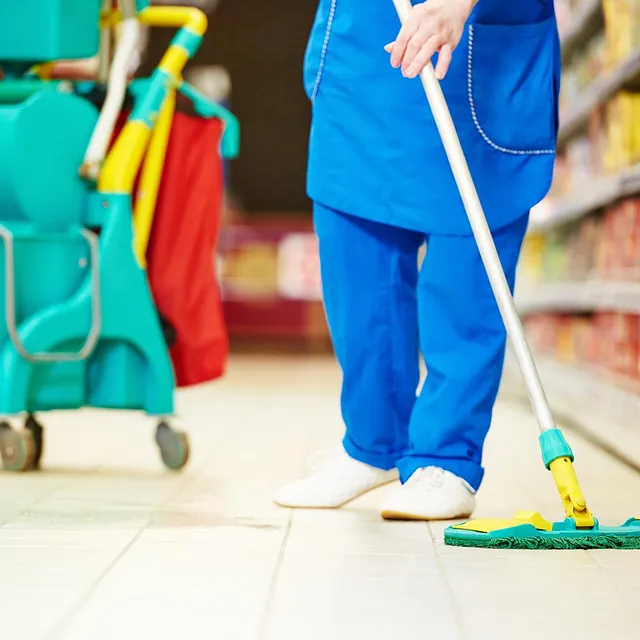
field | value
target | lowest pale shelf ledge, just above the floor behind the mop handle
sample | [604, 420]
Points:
[603, 408]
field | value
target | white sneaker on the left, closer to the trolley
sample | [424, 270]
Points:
[338, 481]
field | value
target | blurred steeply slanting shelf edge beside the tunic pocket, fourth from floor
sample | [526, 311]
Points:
[575, 117]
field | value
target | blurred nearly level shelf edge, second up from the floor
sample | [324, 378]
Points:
[581, 297]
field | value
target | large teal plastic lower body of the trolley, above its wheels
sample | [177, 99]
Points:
[44, 205]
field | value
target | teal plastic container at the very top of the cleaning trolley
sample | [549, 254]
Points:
[33, 31]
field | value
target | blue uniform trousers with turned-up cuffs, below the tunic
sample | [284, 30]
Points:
[382, 310]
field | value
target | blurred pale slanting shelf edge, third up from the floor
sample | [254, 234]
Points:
[596, 195]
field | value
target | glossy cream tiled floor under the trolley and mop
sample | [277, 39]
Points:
[106, 544]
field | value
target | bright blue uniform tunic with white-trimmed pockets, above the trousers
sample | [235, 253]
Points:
[374, 148]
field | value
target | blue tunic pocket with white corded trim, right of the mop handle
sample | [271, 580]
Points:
[512, 78]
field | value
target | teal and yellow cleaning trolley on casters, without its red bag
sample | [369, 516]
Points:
[79, 326]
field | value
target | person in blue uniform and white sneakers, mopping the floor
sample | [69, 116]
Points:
[381, 186]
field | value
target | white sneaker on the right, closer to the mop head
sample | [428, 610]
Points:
[430, 494]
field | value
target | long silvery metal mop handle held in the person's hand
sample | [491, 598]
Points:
[483, 237]
